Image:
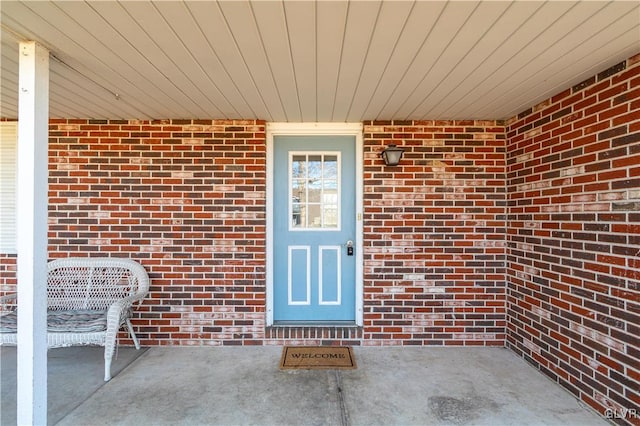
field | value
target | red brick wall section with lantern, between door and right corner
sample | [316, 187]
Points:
[434, 233]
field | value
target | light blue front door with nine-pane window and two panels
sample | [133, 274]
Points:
[314, 229]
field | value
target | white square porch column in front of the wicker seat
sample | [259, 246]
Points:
[33, 138]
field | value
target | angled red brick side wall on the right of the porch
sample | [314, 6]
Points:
[574, 237]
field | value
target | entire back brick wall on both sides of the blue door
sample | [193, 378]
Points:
[187, 200]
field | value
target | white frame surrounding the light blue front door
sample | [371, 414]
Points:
[316, 129]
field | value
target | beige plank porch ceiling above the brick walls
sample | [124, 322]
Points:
[294, 61]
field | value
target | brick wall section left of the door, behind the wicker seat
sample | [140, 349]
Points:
[187, 200]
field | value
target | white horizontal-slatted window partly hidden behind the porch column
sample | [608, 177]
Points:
[8, 178]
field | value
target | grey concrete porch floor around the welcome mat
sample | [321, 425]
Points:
[243, 385]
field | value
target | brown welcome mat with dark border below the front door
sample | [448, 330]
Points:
[317, 357]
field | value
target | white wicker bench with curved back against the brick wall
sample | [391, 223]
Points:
[88, 301]
